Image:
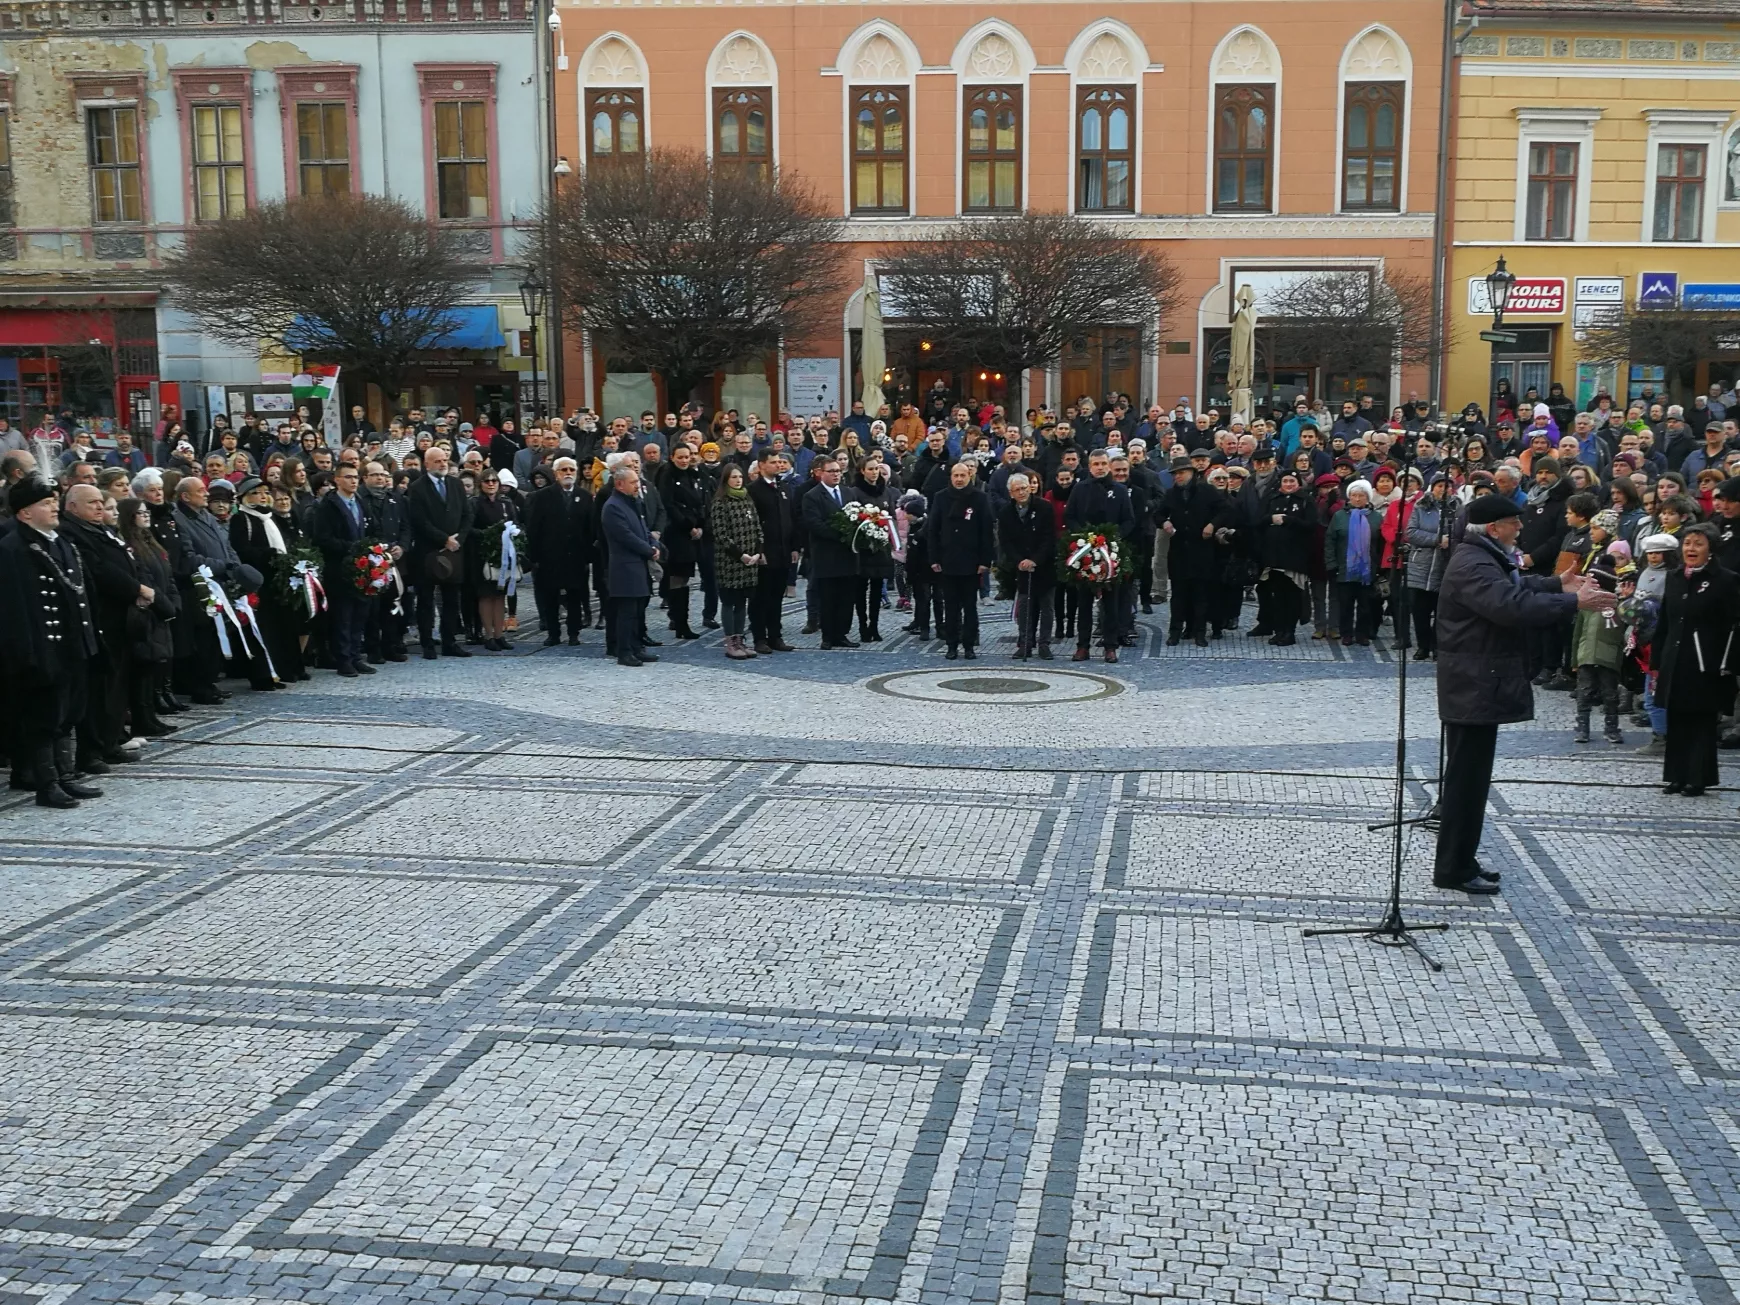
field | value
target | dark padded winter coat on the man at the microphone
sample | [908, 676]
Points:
[1485, 612]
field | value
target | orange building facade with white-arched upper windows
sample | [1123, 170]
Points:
[1254, 144]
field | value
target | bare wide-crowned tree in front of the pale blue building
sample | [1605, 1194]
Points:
[352, 279]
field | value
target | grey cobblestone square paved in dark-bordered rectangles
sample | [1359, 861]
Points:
[860, 977]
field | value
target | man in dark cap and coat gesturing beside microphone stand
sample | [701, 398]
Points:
[1485, 612]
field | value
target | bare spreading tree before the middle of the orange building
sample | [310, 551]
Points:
[1015, 293]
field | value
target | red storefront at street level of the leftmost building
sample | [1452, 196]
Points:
[95, 356]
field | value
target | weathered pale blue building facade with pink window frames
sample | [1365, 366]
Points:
[130, 123]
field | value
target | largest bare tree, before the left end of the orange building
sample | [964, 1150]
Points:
[685, 267]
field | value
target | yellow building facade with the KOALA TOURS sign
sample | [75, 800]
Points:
[1600, 156]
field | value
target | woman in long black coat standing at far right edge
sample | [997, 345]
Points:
[1696, 662]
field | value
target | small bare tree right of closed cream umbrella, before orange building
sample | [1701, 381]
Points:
[1351, 323]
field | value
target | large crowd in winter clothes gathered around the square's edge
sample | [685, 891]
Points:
[137, 580]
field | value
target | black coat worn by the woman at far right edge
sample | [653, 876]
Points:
[1696, 652]
